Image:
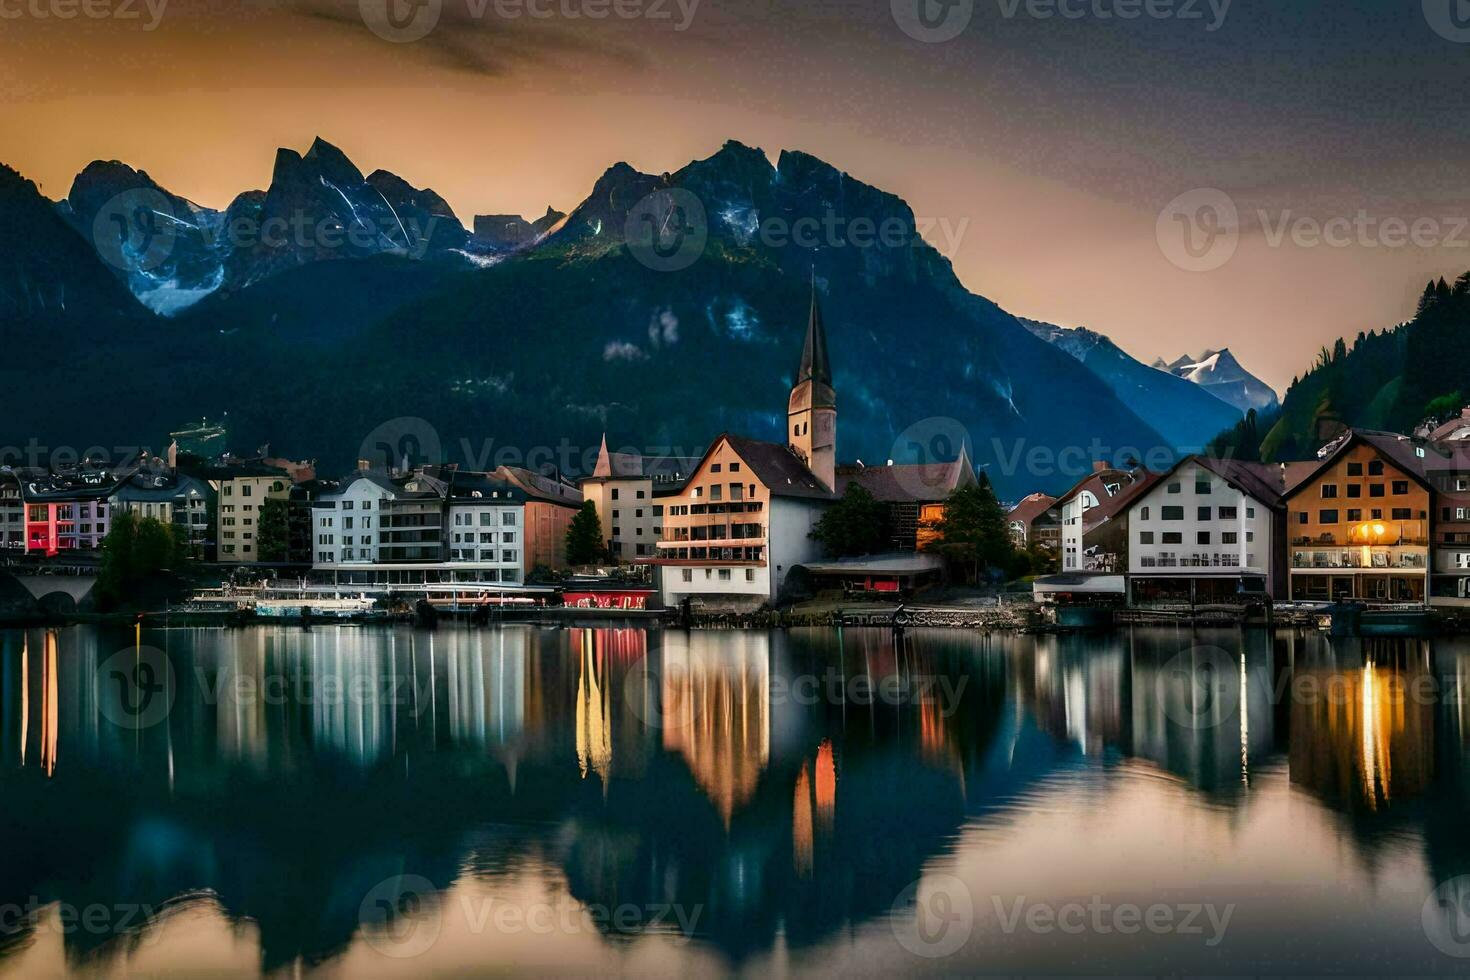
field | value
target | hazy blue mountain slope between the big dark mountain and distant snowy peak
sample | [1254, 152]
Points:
[1184, 414]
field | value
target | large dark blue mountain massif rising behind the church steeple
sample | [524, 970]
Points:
[662, 311]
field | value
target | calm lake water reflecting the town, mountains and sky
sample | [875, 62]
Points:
[398, 803]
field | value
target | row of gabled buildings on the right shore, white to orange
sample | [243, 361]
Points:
[1378, 518]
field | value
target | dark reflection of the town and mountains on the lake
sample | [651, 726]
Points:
[796, 782]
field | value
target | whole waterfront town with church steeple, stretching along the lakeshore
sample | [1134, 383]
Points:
[1378, 519]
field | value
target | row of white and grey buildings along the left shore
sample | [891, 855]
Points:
[427, 525]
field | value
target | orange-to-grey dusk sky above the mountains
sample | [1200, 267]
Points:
[1265, 176]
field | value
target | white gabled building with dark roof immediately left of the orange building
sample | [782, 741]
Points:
[1208, 531]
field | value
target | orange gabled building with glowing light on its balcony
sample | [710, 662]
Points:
[1359, 527]
